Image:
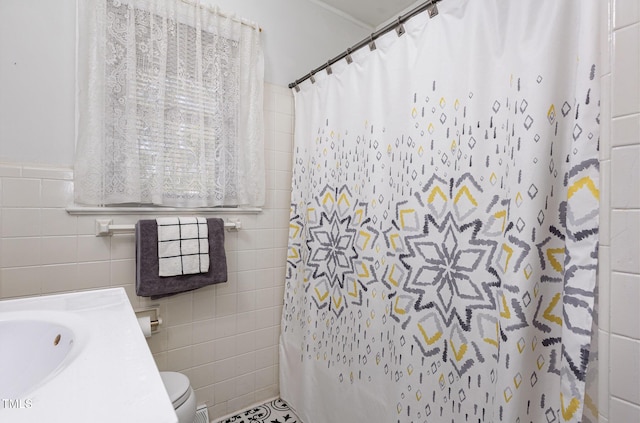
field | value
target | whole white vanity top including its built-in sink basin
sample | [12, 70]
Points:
[78, 357]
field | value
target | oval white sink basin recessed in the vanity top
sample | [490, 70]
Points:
[35, 346]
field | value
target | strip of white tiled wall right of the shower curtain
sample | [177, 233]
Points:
[619, 381]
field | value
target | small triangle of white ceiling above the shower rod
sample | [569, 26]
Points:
[370, 12]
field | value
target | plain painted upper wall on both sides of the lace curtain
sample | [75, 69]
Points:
[37, 64]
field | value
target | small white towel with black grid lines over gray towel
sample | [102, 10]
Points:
[183, 246]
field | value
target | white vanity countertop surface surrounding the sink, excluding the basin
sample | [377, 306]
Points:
[112, 376]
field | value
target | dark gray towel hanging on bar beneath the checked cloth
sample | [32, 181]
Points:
[149, 284]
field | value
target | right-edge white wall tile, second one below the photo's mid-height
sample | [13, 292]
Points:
[625, 298]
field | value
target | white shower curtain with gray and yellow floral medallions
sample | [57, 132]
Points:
[444, 222]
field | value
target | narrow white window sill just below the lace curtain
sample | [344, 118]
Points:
[98, 211]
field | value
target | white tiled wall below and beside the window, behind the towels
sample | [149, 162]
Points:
[223, 337]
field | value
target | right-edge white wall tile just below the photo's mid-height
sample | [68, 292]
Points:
[625, 241]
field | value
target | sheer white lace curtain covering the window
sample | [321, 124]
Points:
[169, 106]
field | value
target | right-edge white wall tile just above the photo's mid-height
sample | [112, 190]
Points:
[625, 174]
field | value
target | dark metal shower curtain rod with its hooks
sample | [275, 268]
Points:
[397, 25]
